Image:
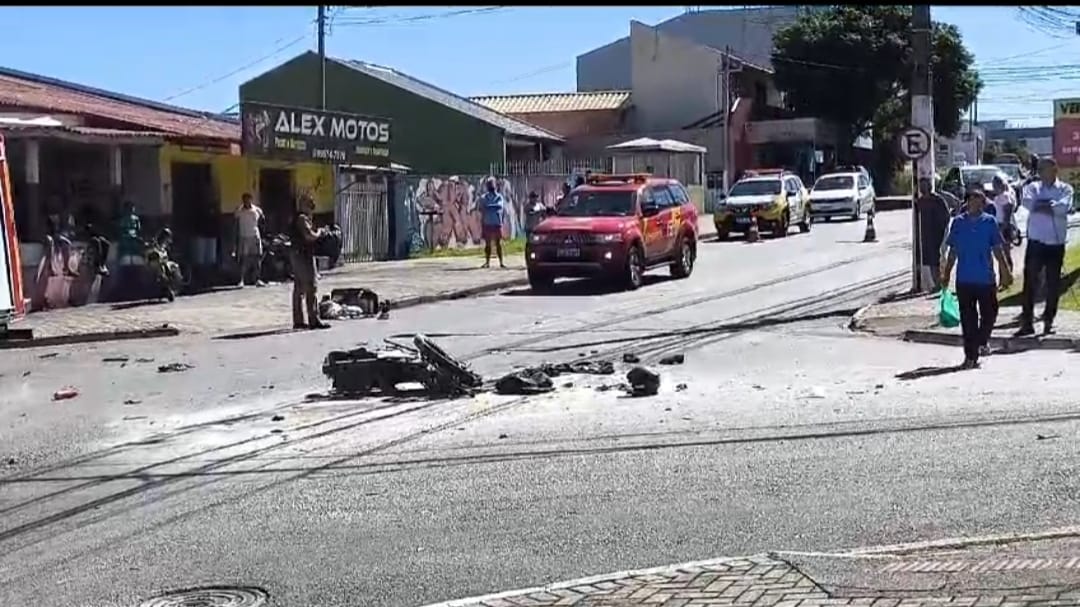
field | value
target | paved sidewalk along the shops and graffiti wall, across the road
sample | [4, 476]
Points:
[408, 282]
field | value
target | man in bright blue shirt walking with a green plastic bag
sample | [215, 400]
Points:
[975, 240]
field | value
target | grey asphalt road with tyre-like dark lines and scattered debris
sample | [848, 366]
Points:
[790, 434]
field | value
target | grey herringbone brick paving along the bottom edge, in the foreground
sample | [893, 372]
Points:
[757, 582]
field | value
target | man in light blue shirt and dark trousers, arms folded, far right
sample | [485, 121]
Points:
[1048, 201]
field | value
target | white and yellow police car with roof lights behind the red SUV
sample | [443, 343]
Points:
[777, 198]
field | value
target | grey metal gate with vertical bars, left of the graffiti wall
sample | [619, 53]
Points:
[363, 211]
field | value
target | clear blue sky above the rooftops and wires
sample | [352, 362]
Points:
[197, 57]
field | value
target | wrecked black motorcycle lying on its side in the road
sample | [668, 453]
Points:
[362, 372]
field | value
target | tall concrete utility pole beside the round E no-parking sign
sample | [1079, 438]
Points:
[923, 117]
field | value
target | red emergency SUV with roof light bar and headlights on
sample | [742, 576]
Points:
[616, 227]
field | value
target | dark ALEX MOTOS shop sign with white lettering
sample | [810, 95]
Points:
[312, 136]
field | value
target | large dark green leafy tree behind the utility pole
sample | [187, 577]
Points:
[853, 66]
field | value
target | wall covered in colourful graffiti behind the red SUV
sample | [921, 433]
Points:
[443, 211]
